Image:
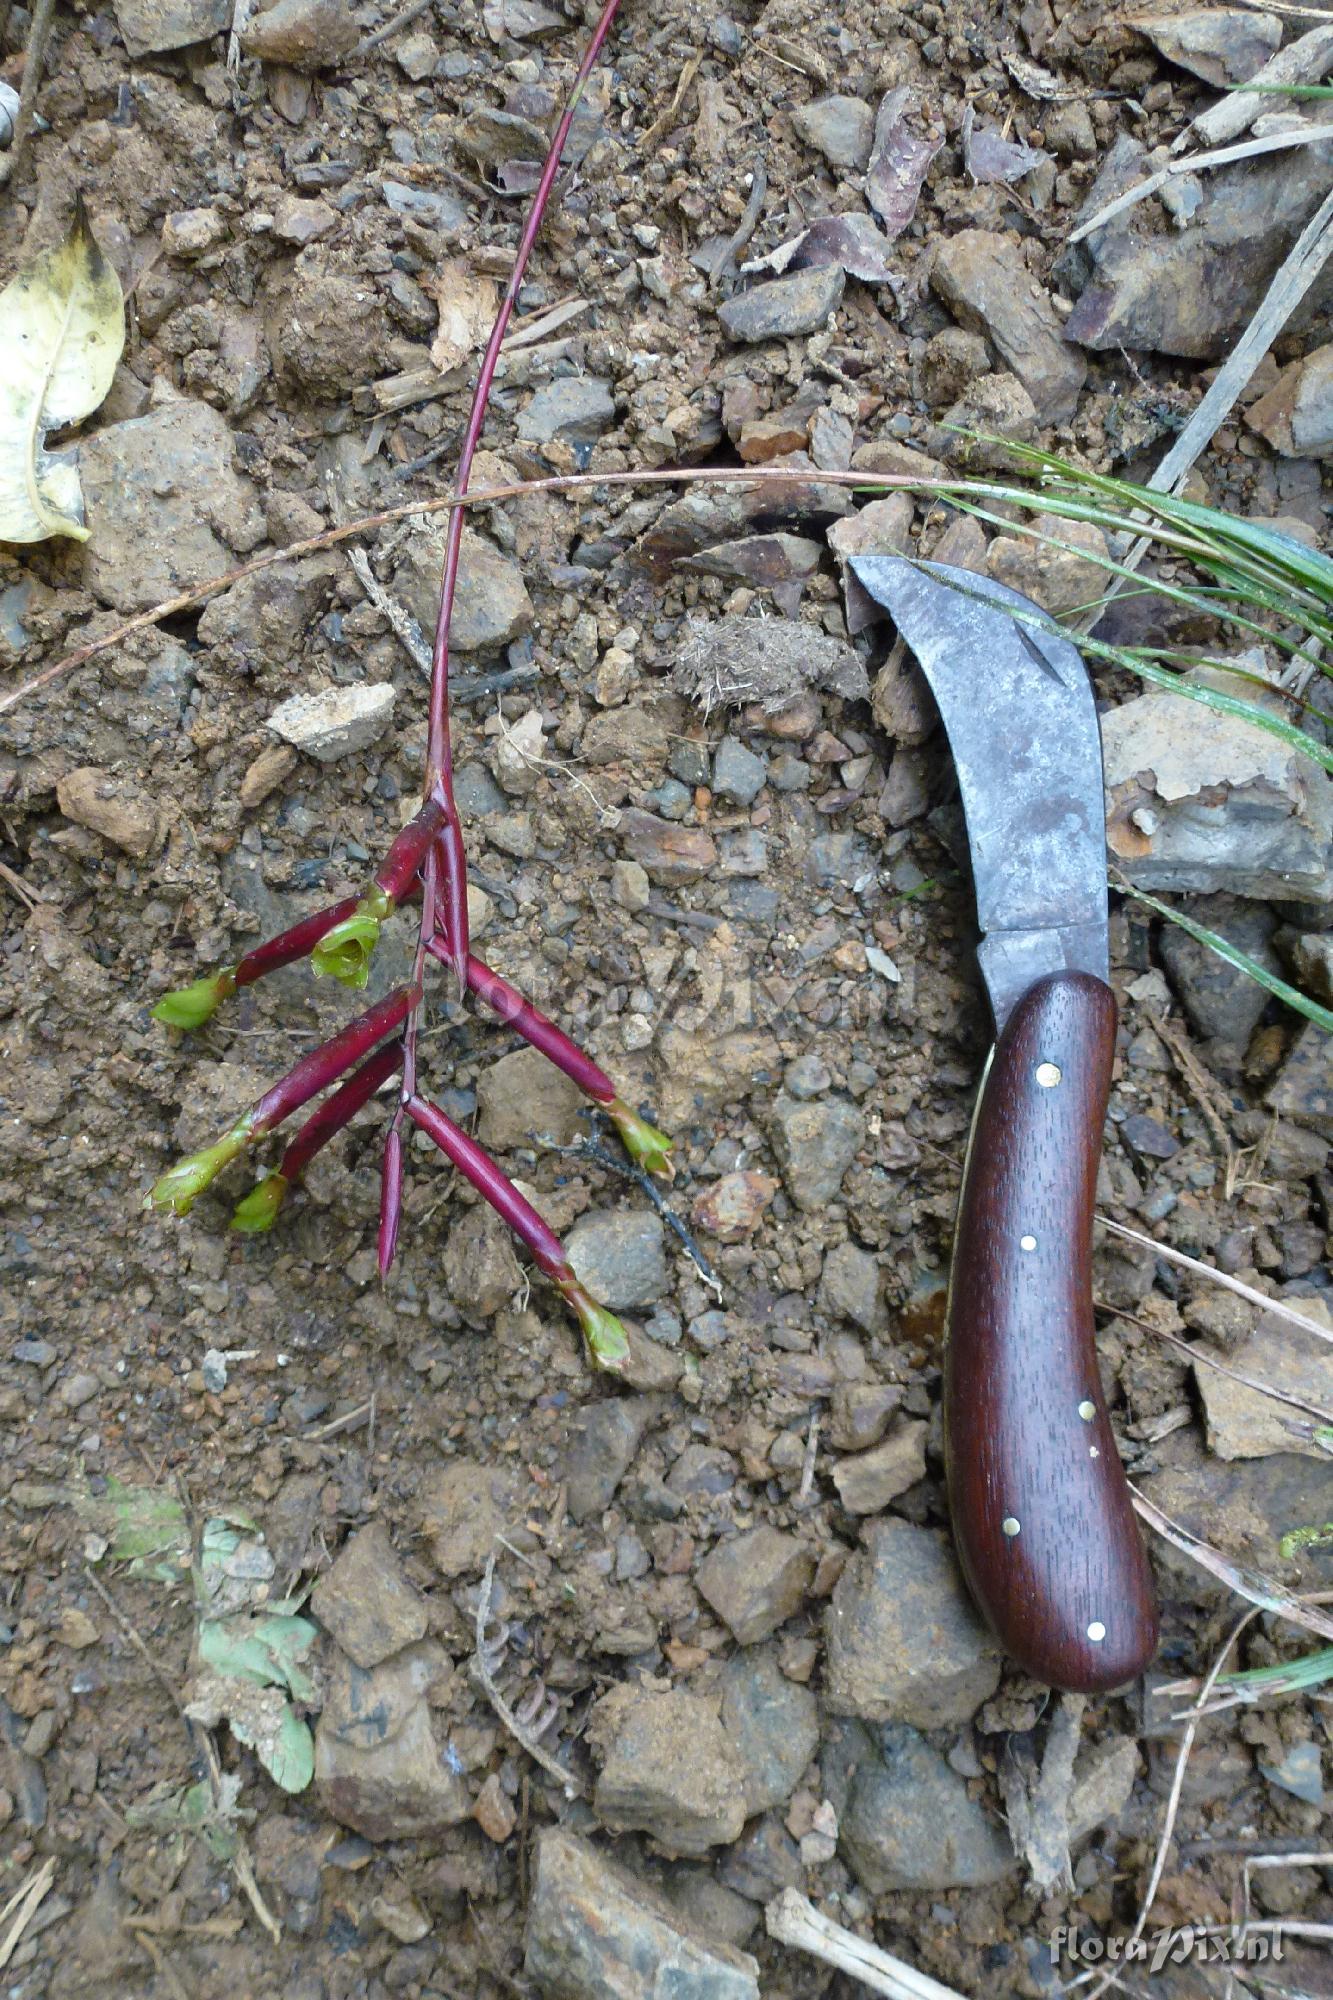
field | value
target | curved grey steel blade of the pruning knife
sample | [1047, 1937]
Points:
[1022, 723]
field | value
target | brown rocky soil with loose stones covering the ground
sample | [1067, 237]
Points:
[712, 831]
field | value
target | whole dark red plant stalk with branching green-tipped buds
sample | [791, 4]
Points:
[425, 861]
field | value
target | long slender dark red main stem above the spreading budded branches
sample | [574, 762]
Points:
[439, 781]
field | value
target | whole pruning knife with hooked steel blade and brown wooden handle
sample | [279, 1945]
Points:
[1042, 1509]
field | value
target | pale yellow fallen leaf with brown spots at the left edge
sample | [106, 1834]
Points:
[61, 337]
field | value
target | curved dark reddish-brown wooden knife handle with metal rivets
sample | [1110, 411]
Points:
[1042, 1511]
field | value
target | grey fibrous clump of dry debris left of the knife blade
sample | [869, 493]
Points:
[766, 661]
